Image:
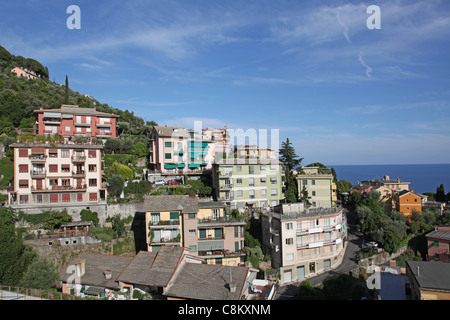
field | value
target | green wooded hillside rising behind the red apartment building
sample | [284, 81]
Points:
[19, 97]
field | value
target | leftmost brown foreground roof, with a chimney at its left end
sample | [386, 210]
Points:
[95, 266]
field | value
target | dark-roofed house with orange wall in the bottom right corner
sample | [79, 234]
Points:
[429, 281]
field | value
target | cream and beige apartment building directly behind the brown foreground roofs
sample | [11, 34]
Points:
[200, 225]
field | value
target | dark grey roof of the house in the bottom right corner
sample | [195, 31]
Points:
[432, 275]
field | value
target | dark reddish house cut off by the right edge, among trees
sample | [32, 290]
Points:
[439, 244]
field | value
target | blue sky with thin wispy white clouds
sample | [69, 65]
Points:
[341, 93]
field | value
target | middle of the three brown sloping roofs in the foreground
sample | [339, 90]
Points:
[153, 268]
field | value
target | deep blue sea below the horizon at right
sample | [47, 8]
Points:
[423, 177]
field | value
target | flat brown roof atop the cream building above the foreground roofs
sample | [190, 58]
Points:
[183, 203]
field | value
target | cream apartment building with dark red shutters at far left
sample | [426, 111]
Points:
[57, 174]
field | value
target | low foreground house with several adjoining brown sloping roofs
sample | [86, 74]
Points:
[171, 273]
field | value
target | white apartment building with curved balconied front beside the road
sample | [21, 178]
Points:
[303, 242]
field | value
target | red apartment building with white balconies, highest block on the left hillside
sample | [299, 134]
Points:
[72, 121]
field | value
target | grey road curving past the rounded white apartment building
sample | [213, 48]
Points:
[354, 243]
